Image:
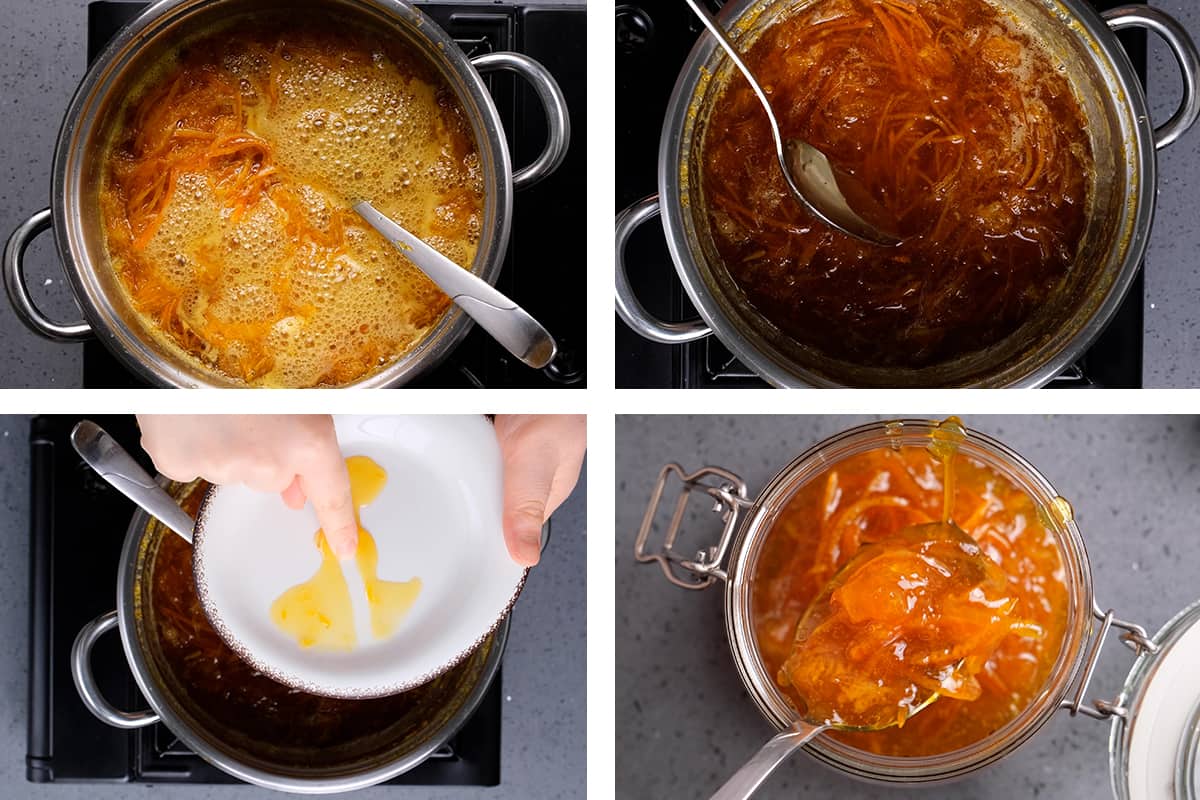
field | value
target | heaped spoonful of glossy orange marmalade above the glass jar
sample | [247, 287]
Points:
[907, 621]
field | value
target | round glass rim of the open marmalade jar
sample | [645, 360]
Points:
[757, 526]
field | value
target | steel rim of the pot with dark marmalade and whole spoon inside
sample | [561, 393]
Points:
[1084, 22]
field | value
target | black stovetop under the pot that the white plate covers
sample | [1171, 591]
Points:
[77, 530]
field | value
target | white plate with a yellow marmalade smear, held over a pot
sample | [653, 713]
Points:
[437, 519]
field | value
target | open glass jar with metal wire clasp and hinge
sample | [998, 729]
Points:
[749, 522]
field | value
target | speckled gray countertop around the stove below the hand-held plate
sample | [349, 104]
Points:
[544, 690]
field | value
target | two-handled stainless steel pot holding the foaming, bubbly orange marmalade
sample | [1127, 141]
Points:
[79, 165]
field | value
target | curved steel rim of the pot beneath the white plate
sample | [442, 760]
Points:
[127, 580]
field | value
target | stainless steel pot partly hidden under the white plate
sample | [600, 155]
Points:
[459, 694]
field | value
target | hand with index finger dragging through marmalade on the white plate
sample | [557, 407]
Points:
[295, 455]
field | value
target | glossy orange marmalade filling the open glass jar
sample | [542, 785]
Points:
[869, 500]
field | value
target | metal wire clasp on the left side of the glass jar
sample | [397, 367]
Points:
[729, 495]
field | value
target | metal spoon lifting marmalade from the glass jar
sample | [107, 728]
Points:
[760, 767]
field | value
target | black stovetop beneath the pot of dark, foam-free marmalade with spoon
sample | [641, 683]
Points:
[653, 41]
